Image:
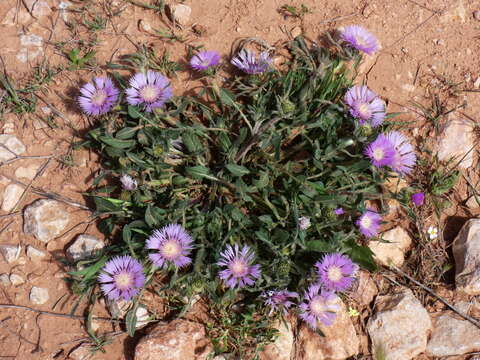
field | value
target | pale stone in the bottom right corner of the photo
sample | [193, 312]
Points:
[452, 336]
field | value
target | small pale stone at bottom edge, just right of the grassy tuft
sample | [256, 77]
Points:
[282, 347]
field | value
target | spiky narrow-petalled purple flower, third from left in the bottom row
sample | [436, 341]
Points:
[240, 270]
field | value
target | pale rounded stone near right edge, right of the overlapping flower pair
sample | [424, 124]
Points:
[457, 142]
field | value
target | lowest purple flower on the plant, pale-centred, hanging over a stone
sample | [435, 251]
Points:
[319, 305]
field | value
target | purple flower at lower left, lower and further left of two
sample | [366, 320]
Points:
[121, 277]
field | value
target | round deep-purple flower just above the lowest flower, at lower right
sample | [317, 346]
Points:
[336, 272]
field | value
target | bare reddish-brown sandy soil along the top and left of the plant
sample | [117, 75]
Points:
[426, 47]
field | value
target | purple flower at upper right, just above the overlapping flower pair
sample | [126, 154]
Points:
[365, 105]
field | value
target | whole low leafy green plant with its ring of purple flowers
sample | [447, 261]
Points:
[262, 175]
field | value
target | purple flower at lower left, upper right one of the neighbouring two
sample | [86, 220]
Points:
[172, 244]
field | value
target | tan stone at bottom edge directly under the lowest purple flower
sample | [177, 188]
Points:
[340, 341]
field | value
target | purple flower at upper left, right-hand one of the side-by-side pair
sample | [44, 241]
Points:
[150, 90]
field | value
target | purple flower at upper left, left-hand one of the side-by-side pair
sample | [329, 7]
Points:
[98, 98]
